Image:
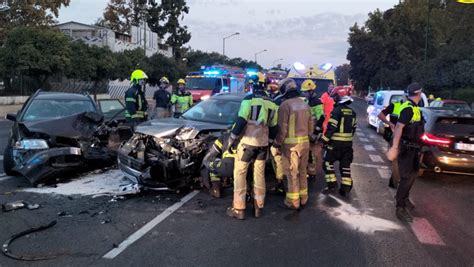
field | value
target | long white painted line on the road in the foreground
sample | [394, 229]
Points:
[148, 227]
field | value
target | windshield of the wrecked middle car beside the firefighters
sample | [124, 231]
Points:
[214, 111]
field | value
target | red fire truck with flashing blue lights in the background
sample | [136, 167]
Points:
[215, 79]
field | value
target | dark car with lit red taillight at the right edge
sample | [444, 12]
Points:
[448, 141]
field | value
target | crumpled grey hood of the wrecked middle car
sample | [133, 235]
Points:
[168, 126]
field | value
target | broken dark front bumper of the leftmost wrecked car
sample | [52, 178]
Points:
[47, 162]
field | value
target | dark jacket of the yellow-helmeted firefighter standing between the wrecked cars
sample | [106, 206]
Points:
[135, 103]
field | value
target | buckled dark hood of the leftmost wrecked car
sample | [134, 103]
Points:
[74, 126]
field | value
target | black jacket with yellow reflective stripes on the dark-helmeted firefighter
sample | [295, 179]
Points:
[341, 127]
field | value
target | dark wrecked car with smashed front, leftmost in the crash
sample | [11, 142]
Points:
[56, 132]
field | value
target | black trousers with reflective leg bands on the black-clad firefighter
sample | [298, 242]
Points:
[343, 154]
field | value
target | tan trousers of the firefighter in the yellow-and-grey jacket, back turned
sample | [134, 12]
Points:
[247, 154]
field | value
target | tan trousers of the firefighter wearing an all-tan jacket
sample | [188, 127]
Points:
[295, 163]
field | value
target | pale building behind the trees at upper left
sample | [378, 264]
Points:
[103, 37]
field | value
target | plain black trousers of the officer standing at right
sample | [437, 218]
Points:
[408, 166]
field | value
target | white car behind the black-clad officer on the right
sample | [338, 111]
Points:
[381, 100]
